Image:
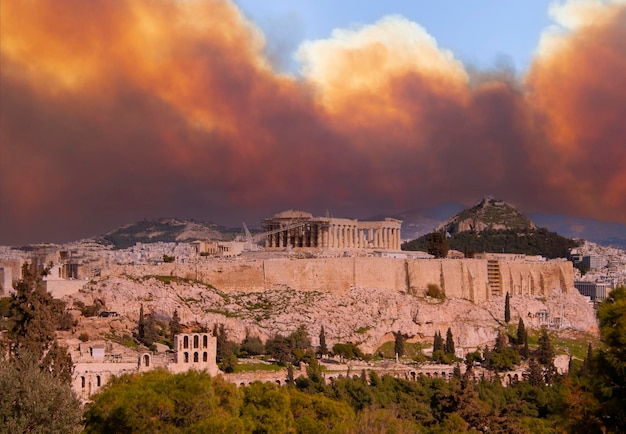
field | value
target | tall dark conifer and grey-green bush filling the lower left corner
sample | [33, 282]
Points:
[35, 371]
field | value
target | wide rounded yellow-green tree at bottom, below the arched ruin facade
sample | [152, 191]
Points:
[158, 401]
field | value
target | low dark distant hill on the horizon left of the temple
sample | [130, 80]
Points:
[165, 230]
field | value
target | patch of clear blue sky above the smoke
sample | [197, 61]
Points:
[481, 33]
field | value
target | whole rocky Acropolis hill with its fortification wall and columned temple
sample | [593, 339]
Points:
[346, 275]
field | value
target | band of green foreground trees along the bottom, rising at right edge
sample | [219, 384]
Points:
[589, 399]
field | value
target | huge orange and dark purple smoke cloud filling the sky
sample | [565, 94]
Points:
[115, 111]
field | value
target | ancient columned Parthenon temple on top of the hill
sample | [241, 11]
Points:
[298, 229]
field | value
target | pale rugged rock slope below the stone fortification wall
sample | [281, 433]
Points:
[364, 316]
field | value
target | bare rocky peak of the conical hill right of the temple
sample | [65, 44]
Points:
[490, 213]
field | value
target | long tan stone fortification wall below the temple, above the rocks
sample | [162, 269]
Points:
[471, 279]
